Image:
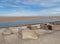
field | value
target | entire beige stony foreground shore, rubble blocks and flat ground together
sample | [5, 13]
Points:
[32, 35]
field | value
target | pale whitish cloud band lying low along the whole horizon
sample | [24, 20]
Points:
[46, 12]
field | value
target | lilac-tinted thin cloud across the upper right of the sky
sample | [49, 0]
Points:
[44, 3]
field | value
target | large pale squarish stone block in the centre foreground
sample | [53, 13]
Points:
[29, 34]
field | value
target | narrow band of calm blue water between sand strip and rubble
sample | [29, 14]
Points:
[25, 22]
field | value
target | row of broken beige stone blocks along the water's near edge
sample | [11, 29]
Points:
[26, 33]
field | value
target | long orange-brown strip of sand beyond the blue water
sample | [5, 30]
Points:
[28, 18]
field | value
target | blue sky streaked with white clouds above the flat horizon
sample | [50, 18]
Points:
[29, 7]
